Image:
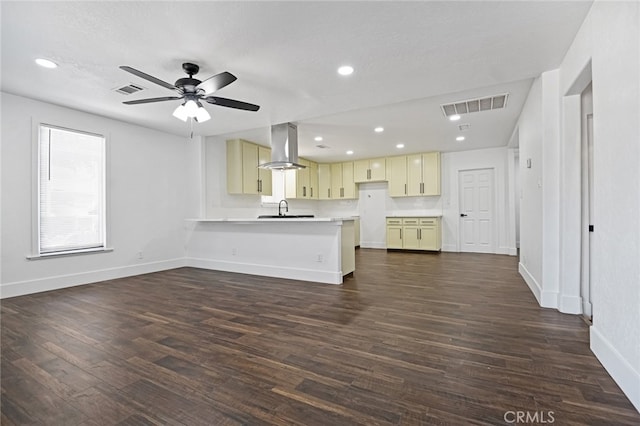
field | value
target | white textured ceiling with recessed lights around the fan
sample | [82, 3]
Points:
[409, 57]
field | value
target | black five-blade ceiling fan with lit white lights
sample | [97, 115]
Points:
[193, 91]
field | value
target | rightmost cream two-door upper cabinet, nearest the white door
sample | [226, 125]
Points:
[423, 174]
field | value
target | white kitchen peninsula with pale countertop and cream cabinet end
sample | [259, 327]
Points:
[301, 248]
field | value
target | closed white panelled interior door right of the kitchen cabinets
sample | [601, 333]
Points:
[477, 223]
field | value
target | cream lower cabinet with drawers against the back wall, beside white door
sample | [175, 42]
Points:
[414, 233]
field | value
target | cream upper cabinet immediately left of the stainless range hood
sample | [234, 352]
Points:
[243, 174]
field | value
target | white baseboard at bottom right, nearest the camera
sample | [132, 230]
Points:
[618, 368]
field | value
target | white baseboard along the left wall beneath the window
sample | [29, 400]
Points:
[21, 288]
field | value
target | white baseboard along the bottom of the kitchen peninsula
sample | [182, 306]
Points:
[327, 277]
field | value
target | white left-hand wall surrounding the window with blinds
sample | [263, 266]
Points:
[150, 195]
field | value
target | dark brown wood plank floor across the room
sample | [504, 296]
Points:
[411, 339]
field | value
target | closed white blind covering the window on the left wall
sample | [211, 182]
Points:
[71, 190]
